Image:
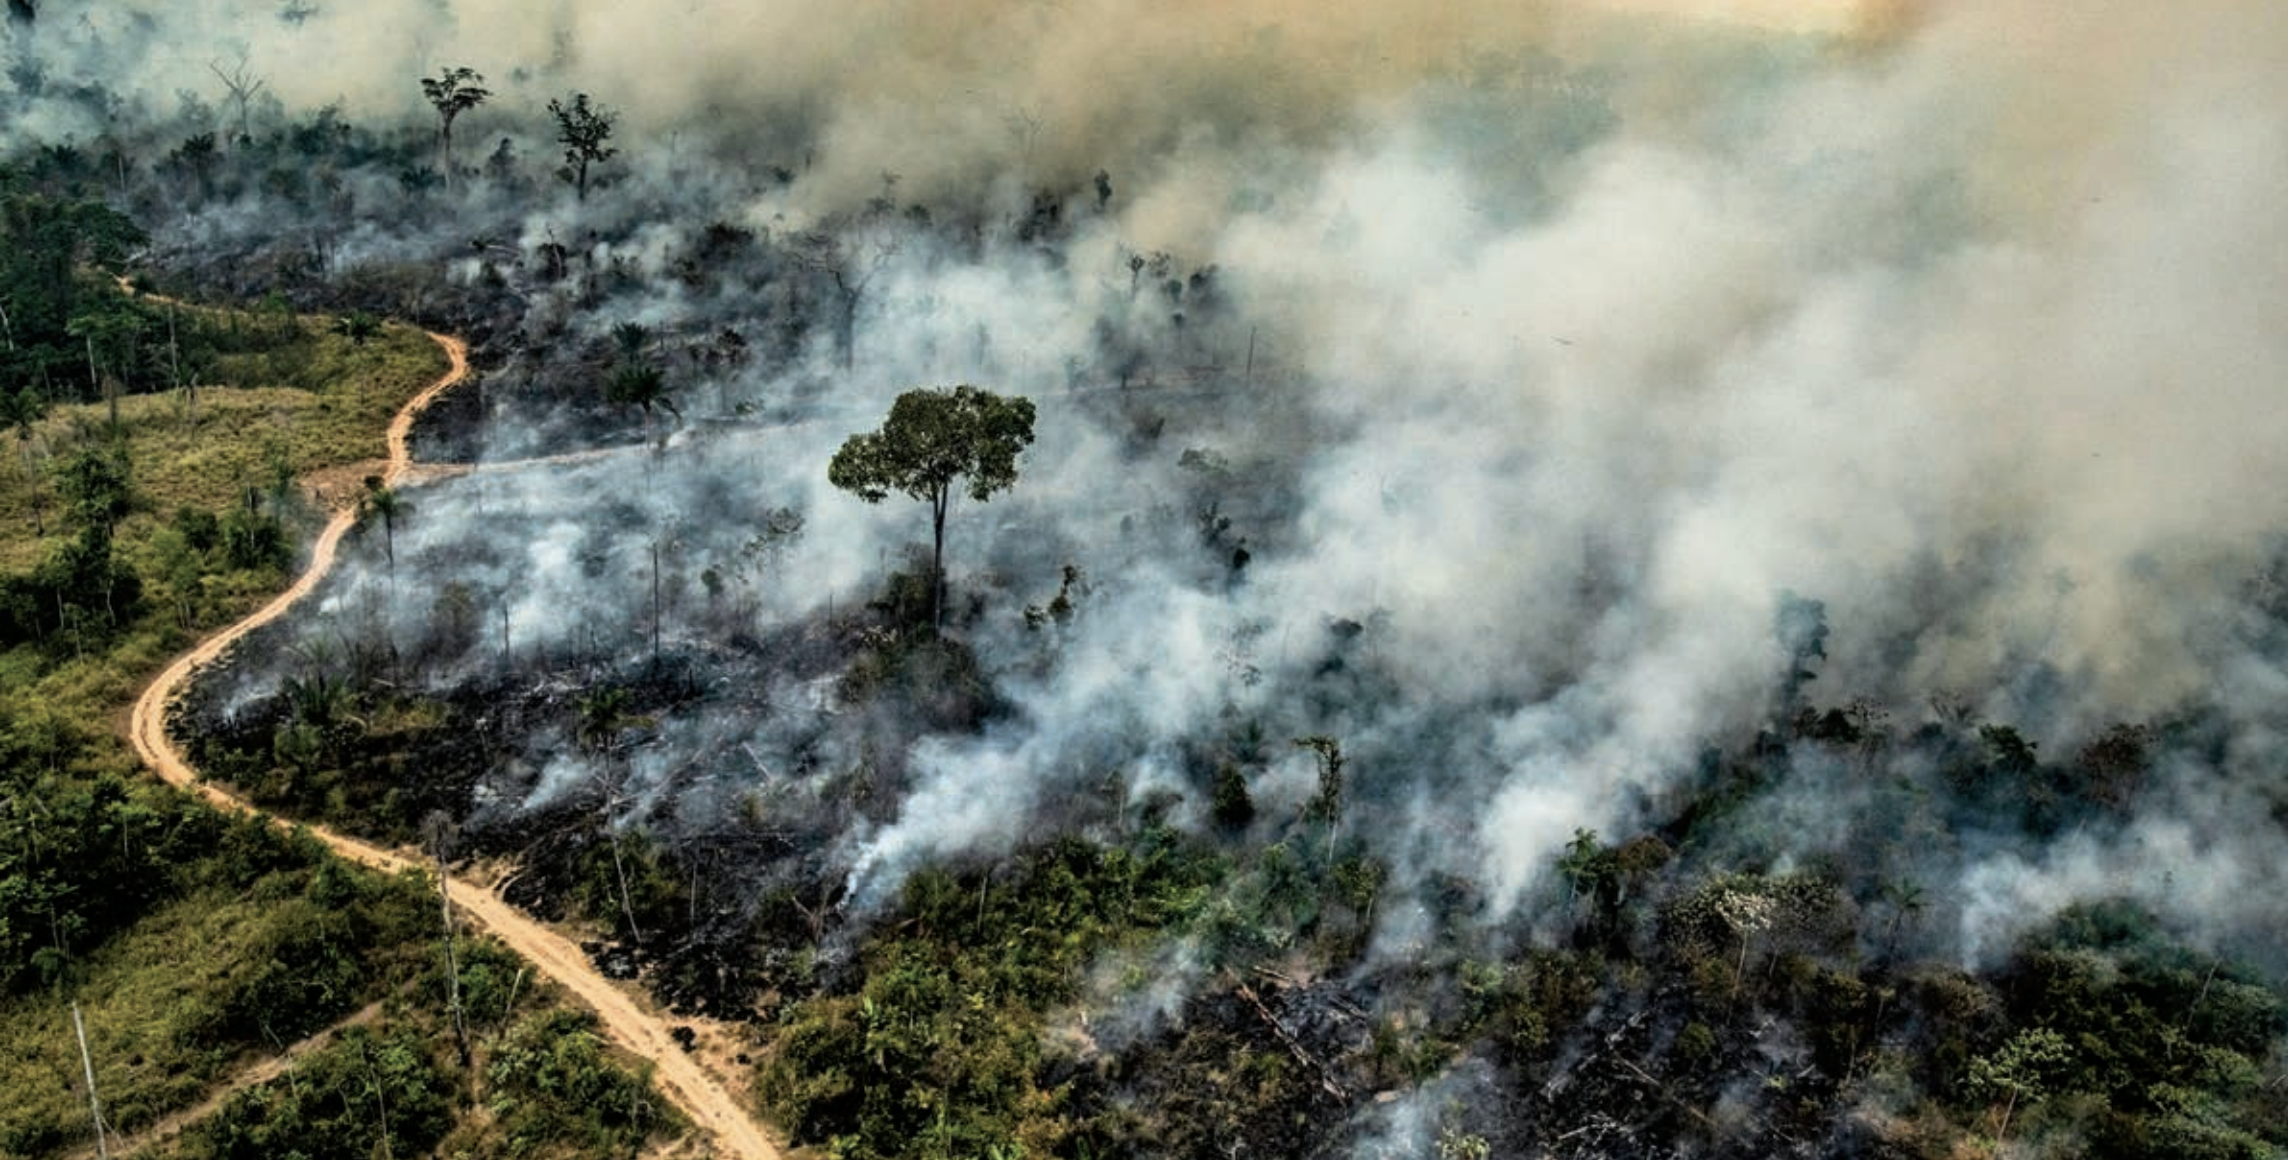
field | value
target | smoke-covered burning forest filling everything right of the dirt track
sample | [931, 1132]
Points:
[1573, 582]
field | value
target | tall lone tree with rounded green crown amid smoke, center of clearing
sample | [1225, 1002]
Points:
[932, 440]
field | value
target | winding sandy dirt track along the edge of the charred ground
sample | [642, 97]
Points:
[626, 1019]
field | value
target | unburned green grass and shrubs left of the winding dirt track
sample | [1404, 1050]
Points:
[200, 944]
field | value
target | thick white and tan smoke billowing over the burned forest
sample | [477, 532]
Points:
[1552, 344]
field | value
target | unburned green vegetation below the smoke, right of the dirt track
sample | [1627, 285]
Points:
[1012, 1008]
